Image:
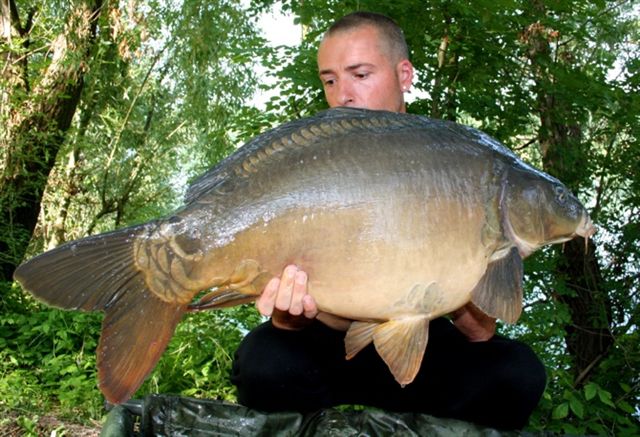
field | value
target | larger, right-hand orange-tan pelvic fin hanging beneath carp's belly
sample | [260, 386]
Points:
[401, 344]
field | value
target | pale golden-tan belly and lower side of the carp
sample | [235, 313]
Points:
[368, 264]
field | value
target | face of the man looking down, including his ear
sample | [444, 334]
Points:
[357, 70]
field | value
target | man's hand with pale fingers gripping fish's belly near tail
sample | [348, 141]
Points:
[288, 302]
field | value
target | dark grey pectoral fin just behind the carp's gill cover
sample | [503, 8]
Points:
[499, 291]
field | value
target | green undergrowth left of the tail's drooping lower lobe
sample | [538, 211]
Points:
[47, 361]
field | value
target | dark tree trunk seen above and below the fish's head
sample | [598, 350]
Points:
[588, 337]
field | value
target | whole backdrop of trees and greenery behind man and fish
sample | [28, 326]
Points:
[109, 108]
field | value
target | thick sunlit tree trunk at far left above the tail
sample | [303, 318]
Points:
[36, 123]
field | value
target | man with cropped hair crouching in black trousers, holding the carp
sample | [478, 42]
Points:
[296, 360]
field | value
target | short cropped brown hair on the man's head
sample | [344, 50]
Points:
[390, 32]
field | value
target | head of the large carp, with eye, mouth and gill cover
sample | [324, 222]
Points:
[539, 210]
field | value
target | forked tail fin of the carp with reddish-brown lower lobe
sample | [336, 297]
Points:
[98, 273]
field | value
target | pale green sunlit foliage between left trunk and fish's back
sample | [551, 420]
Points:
[165, 82]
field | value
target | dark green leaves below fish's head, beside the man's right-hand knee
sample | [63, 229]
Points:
[602, 406]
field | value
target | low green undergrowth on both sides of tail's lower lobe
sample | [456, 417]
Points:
[48, 360]
